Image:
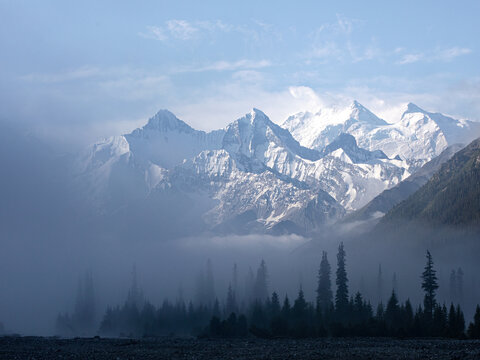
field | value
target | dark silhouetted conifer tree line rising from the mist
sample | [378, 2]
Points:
[263, 315]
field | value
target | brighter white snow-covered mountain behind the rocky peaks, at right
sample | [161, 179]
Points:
[417, 137]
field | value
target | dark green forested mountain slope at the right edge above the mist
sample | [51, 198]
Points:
[451, 196]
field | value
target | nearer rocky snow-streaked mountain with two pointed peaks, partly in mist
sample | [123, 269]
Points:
[251, 175]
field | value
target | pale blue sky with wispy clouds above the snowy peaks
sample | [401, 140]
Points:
[76, 71]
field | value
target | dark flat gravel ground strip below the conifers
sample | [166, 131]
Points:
[180, 348]
